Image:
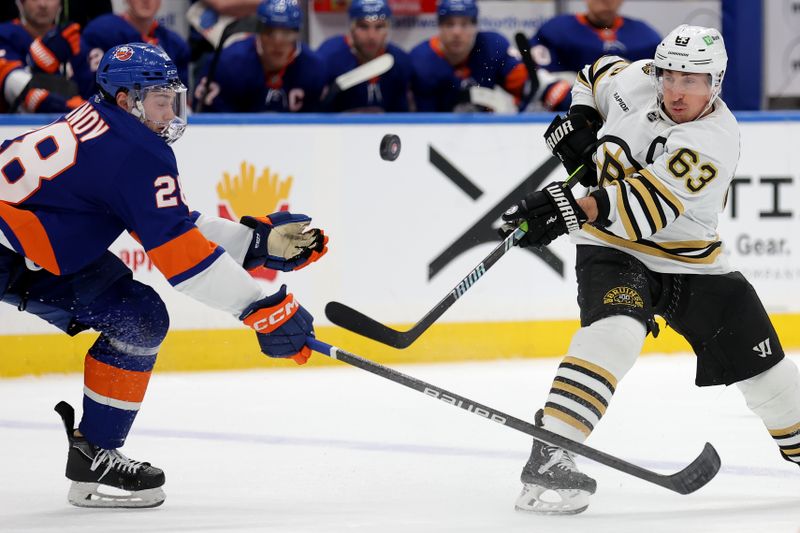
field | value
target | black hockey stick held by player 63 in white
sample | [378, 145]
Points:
[357, 322]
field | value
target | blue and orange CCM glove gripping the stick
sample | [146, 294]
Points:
[281, 326]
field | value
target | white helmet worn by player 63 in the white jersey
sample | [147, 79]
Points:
[692, 49]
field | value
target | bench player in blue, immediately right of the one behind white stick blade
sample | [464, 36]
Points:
[460, 57]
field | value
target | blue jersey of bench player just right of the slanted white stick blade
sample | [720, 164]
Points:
[437, 84]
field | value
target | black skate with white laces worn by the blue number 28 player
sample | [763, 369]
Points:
[90, 468]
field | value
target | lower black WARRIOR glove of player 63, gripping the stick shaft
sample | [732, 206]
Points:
[550, 213]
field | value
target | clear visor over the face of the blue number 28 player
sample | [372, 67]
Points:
[163, 109]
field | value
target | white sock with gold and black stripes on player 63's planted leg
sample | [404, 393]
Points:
[599, 356]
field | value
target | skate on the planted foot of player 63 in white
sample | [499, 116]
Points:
[552, 470]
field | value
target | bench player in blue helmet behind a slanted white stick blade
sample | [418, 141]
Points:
[367, 39]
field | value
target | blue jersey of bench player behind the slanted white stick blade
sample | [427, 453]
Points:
[388, 92]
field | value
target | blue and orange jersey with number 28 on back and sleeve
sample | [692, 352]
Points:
[72, 187]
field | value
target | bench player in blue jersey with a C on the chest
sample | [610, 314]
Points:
[269, 71]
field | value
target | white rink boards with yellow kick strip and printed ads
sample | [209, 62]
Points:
[404, 233]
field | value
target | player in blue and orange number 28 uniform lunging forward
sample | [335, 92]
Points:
[71, 188]
